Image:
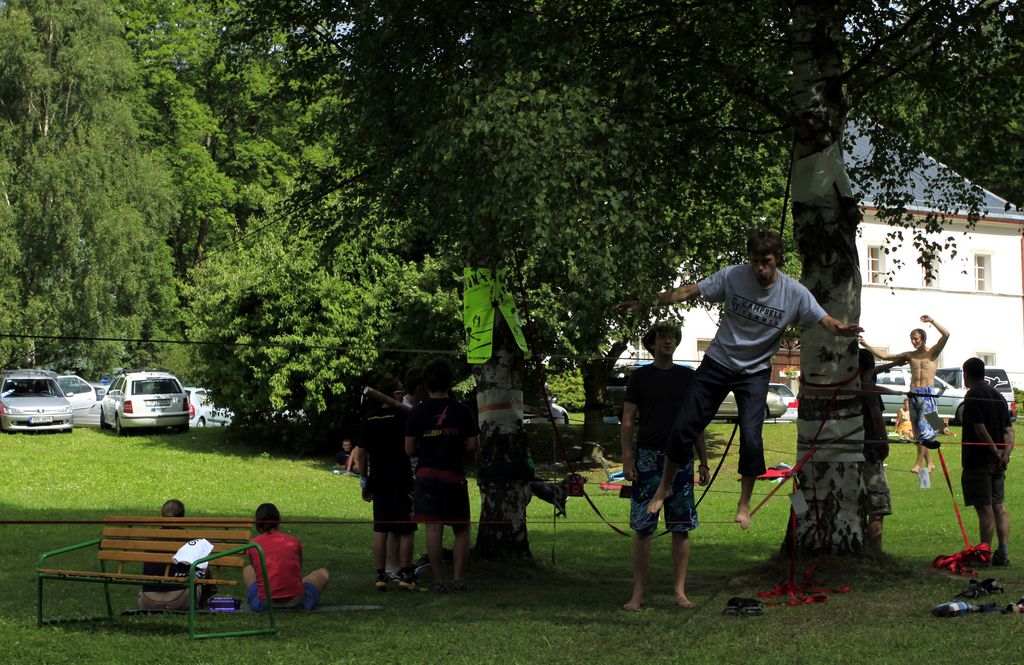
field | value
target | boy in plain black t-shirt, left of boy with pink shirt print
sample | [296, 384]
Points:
[388, 481]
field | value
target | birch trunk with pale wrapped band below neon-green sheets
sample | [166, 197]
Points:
[504, 458]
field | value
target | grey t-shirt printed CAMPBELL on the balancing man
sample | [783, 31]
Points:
[754, 318]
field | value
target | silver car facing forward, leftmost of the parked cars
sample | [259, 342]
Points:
[32, 401]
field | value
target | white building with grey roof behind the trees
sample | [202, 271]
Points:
[978, 295]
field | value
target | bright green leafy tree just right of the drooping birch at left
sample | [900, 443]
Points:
[212, 112]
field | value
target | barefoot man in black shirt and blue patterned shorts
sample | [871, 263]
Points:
[656, 393]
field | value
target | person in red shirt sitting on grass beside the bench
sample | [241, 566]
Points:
[284, 563]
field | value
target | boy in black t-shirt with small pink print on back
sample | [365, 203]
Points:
[443, 431]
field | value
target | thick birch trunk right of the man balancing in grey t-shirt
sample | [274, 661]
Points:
[826, 219]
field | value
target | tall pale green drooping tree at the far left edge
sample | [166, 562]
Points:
[86, 206]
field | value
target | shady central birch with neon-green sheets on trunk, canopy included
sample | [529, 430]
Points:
[508, 144]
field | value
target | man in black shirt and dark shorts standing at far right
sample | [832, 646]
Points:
[987, 429]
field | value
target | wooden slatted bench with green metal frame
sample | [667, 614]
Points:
[129, 543]
